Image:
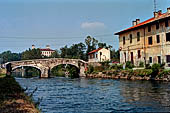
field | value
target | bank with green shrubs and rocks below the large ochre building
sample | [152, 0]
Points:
[116, 71]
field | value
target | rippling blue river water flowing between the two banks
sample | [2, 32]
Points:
[65, 95]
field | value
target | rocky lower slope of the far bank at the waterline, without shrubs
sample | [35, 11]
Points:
[145, 74]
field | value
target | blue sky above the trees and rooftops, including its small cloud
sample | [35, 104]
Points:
[65, 22]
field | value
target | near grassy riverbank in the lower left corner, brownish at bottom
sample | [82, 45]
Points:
[13, 99]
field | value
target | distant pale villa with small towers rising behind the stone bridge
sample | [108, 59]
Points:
[45, 52]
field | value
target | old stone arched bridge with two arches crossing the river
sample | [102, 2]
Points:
[45, 65]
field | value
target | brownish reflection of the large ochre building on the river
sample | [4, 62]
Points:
[147, 94]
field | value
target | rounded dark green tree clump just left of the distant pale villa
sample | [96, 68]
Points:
[31, 54]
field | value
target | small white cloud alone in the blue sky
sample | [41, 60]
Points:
[93, 25]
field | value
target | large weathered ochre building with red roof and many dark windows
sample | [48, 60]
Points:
[147, 41]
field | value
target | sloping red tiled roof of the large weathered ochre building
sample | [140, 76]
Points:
[153, 19]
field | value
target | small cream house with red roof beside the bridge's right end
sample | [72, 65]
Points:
[99, 55]
